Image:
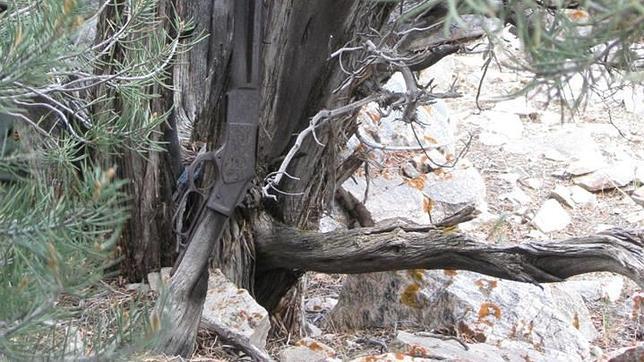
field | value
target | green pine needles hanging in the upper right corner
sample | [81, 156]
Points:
[583, 41]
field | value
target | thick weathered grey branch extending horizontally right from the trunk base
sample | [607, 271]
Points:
[406, 246]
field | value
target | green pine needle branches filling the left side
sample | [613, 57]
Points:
[66, 106]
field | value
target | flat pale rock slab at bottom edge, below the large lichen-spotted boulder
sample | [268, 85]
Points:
[439, 349]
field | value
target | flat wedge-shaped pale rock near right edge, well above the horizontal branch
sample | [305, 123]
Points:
[617, 175]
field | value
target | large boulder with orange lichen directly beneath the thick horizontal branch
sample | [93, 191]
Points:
[553, 321]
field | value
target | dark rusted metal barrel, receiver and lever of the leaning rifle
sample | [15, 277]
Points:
[235, 158]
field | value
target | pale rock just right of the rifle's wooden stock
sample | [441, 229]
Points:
[234, 308]
